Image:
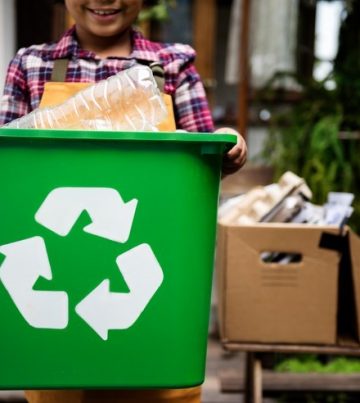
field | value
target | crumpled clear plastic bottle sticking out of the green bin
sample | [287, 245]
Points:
[128, 101]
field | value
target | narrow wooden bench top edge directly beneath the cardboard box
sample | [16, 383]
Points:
[290, 348]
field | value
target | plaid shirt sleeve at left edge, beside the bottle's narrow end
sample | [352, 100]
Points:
[15, 100]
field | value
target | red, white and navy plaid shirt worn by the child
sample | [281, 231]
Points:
[32, 67]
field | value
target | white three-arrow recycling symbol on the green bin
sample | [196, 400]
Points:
[27, 260]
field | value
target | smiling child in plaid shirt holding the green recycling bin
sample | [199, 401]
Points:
[102, 43]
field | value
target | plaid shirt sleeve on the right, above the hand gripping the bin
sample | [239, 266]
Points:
[191, 107]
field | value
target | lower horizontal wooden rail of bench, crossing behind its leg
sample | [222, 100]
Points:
[234, 382]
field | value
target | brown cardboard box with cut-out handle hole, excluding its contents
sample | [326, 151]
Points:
[308, 302]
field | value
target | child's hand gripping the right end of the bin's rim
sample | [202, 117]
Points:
[235, 158]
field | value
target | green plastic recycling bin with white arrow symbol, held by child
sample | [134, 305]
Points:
[106, 257]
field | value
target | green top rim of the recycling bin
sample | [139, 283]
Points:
[227, 139]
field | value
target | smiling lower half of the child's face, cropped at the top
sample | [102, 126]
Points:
[103, 18]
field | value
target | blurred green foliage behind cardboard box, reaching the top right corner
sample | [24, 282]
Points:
[306, 138]
